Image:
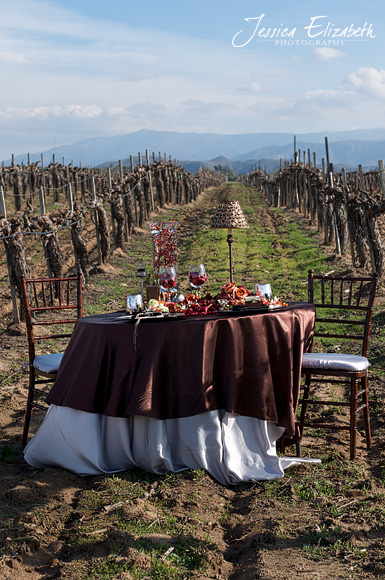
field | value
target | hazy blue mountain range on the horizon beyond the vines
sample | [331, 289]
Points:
[241, 153]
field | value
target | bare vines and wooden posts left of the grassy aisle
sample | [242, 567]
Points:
[129, 198]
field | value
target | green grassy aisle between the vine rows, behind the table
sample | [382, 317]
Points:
[274, 249]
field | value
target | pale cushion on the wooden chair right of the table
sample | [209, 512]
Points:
[334, 362]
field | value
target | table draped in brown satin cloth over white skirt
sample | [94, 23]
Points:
[165, 394]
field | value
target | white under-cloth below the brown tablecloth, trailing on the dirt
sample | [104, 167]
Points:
[229, 447]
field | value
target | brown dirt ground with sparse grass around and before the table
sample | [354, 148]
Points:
[317, 522]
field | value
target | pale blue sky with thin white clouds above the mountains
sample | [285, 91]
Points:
[78, 69]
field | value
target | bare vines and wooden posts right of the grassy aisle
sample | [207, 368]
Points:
[345, 207]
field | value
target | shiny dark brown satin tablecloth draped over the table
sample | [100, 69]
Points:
[246, 364]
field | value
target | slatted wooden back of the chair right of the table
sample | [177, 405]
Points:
[347, 301]
